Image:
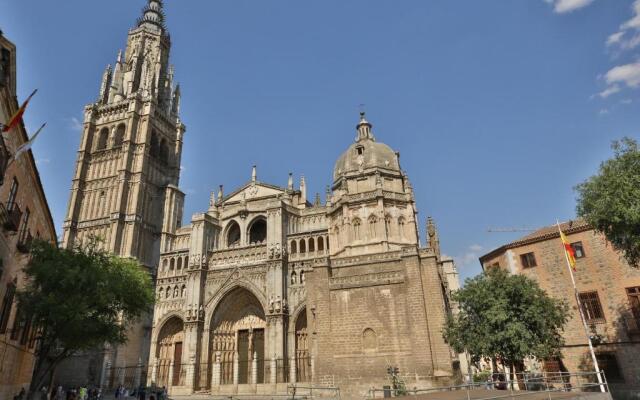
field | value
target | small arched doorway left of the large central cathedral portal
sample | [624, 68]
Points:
[168, 351]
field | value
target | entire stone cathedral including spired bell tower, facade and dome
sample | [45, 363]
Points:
[265, 288]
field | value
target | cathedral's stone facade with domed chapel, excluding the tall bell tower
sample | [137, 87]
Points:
[266, 289]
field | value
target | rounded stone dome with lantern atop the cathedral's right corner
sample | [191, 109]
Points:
[366, 153]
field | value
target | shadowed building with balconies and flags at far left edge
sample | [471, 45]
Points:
[24, 215]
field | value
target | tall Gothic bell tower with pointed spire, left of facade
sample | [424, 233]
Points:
[129, 159]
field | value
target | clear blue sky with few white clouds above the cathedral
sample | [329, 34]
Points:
[498, 108]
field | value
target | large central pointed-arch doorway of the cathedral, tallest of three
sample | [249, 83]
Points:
[238, 338]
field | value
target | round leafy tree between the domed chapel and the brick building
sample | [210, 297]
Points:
[507, 318]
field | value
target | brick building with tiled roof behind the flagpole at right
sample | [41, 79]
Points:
[609, 290]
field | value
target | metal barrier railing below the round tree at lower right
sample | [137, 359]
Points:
[525, 384]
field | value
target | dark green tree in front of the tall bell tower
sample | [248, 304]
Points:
[79, 299]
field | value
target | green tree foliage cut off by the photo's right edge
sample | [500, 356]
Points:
[610, 200]
